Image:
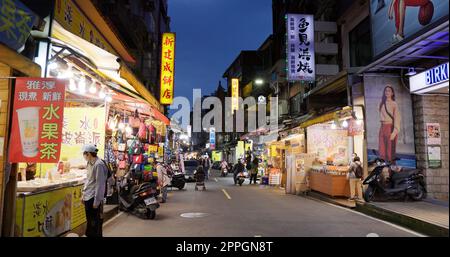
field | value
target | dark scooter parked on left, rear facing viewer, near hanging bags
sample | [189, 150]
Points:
[138, 198]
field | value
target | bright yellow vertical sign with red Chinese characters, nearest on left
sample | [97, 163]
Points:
[167, 68]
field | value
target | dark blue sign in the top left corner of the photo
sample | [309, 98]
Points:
[16, 22]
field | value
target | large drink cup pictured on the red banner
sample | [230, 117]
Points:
[28, 118]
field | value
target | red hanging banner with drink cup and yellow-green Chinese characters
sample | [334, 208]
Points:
[37, 120]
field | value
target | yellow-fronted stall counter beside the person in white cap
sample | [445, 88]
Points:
[46, 209]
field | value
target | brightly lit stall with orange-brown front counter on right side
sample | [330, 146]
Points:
[332, 142]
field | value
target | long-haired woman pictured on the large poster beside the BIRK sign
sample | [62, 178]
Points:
[390, 124]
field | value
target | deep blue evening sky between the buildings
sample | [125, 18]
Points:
[210, 35]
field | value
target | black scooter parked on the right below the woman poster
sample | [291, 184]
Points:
[400, 185]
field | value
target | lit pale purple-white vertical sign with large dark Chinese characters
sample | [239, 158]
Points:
[300, 47]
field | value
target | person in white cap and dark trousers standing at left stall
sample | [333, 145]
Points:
[94, 191]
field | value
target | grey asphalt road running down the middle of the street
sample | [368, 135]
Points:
[248, 211]
